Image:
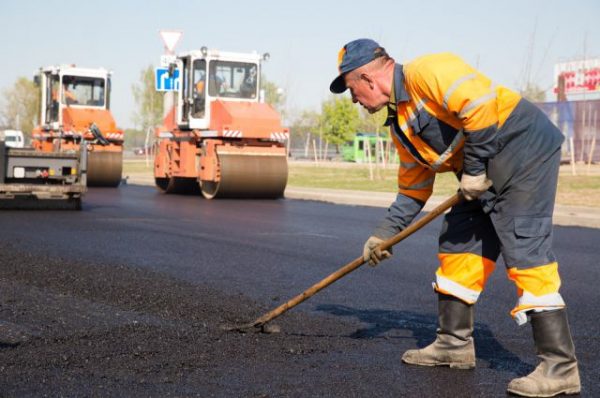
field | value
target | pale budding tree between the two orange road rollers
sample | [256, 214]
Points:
[149, 102]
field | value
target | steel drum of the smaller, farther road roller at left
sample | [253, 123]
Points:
[104, 168]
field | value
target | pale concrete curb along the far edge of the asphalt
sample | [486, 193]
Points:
[563, 215]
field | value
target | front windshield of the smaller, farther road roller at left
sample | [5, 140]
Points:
[78, 90]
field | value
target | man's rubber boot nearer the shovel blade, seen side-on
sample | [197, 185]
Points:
[453, 345]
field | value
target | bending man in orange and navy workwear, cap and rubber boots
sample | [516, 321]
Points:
[445, 116]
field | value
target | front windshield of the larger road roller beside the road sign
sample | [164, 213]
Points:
[233, 79]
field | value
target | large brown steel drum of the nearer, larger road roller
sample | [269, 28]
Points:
[248, 176]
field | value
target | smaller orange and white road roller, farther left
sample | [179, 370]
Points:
[75, 111]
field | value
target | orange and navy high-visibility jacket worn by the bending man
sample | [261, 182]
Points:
[445, 116]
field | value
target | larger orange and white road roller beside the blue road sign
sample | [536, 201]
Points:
[220, 138]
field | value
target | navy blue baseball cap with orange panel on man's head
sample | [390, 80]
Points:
[354, 55]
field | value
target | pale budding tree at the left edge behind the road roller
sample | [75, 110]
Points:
[21, 105]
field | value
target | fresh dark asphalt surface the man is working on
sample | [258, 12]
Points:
[128, 296]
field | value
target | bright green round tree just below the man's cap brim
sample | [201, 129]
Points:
[339, 120]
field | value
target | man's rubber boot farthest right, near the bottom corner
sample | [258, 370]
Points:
[558, 372]
